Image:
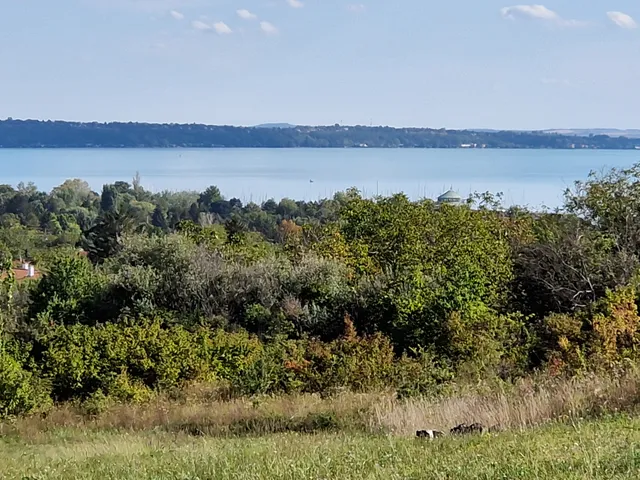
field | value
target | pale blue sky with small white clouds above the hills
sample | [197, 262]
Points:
[455, 64]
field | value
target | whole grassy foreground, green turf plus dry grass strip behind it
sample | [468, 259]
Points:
[577, 429]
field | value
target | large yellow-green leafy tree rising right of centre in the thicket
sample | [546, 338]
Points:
[437, 262]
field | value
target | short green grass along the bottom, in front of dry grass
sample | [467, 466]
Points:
[607, 449]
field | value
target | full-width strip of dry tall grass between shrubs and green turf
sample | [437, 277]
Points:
[199, 412]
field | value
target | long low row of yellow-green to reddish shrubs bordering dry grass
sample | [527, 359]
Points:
[128, 362]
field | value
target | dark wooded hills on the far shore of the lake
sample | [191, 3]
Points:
[58, 134]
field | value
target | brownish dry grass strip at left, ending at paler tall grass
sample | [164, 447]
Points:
[199, 414]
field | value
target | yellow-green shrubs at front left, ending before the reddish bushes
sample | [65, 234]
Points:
[130, 361]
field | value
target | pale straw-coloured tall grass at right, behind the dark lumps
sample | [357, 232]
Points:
[529, 403]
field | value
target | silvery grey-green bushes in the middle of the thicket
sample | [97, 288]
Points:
[267, 294]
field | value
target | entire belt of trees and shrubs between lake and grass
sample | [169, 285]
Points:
[140, 292]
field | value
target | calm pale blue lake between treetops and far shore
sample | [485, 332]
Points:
[526, 177]
